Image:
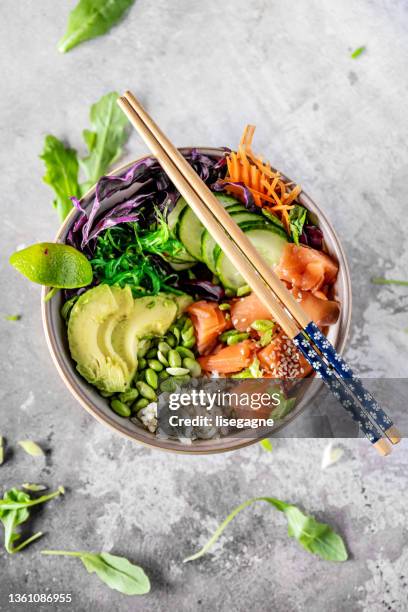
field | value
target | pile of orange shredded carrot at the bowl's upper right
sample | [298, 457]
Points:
[265, 184]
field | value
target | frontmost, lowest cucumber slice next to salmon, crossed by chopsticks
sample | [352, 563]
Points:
[267, 241]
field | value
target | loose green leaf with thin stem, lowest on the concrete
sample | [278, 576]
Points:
[117, 572]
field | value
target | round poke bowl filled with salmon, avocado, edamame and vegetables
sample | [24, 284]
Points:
[182, 311]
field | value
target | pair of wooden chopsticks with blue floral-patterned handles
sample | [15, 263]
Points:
[285, 310]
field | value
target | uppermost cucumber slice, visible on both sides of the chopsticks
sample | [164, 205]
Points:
[189, 228]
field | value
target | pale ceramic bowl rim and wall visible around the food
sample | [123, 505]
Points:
[98, 407]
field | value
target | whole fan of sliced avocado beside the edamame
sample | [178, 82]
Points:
[104, 327]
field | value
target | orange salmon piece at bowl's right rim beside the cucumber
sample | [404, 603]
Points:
[306, 268]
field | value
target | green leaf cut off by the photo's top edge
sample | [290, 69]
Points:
[92, 18]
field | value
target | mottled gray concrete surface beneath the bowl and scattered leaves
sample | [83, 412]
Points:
[337, 125]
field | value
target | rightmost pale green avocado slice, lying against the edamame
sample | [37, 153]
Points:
[151, 315]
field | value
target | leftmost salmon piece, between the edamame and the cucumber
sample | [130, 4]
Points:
[209, 322]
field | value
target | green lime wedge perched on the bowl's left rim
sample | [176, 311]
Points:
[54, 265]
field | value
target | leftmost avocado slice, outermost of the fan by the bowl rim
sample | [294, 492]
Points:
[91, 312]
